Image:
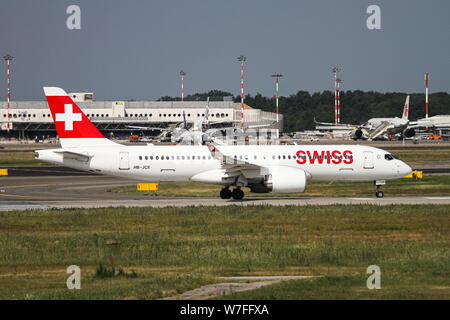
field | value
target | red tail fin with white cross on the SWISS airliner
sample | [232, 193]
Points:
[73, 127]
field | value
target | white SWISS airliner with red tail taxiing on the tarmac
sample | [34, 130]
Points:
[262, 168]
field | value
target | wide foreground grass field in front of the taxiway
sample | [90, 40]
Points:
[171, 250]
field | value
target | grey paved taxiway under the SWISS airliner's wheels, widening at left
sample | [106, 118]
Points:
[90, 191]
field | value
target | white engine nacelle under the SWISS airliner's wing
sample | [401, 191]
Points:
[286, 180]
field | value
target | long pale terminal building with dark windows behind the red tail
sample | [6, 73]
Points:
[29, 119]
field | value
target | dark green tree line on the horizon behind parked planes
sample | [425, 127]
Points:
[299, 110]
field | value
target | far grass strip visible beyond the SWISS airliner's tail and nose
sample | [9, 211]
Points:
[411, 154]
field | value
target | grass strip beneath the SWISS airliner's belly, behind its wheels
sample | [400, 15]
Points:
[430, 185]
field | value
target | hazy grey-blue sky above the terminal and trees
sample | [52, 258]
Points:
[135, 49]
